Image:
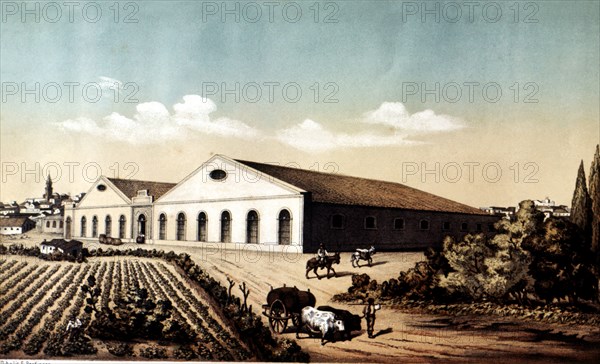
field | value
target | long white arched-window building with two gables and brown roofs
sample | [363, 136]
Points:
[232, 201]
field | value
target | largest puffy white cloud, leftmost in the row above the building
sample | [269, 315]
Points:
[153, 123]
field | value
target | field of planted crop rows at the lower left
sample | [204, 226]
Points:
[39, 299]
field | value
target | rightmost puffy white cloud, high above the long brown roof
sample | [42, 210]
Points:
[394, 114]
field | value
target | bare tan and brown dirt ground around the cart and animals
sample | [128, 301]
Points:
[400, 335]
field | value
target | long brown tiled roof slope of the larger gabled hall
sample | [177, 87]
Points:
[346, 190]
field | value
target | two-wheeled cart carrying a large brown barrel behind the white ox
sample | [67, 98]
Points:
[285, 303]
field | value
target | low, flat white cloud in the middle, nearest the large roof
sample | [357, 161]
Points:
[310, 136]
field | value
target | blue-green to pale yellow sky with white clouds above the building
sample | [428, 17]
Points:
[486, 103]
